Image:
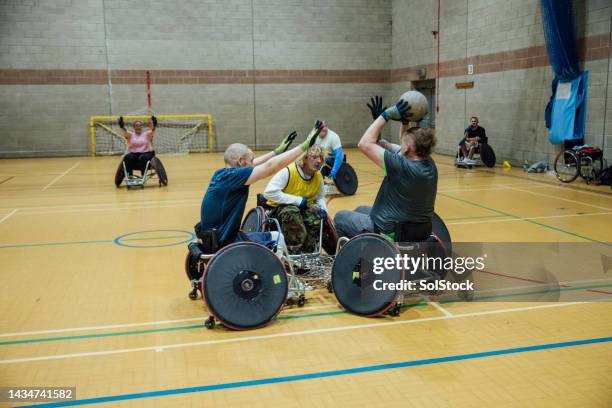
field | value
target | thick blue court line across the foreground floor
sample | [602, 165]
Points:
[325, 374]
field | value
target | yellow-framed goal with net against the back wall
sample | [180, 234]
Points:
[174, 133]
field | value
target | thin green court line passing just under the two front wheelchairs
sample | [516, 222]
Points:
[289, 317]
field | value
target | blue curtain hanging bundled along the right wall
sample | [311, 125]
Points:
[558, 20]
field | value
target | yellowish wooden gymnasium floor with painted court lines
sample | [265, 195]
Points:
[94, 295]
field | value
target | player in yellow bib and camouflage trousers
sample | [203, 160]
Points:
[299, 197]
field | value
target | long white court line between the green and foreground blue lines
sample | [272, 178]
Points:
[278, 335]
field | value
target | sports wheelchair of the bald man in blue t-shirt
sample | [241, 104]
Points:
[244, 284]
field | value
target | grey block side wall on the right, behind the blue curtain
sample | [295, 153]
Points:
[510, 102]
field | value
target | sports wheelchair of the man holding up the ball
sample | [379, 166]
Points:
[353, 274]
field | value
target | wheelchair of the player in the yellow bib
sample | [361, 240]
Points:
[313, 268]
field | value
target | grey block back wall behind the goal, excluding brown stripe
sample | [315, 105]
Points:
[187, 35]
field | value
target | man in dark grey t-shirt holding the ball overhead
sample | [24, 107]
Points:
[408, 191]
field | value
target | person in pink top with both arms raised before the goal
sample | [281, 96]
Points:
[140, 145]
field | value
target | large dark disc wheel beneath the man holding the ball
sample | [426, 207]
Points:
[353, 277]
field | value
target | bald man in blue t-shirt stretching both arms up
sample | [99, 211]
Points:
[224, 202]
